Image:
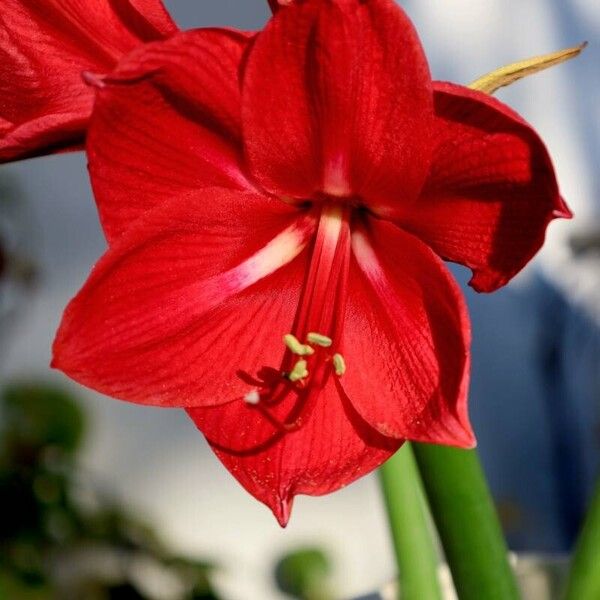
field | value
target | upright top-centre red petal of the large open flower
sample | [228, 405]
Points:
[337, 98]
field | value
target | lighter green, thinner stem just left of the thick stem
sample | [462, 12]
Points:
[411, 527]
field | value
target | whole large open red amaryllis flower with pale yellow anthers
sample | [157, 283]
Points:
[303, 186]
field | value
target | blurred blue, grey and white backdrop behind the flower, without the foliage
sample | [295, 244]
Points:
[535, 394]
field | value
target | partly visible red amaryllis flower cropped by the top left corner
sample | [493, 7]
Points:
[44, 47]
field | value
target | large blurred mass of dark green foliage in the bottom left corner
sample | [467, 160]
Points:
[59, 540]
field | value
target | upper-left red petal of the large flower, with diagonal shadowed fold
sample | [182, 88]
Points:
[167, 121]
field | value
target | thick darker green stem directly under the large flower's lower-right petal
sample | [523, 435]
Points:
[466, 519]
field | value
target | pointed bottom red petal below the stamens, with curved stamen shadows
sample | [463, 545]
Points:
[332, 447]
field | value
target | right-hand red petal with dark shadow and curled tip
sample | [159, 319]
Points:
[491, 191]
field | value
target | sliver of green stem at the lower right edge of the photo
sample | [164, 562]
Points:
[584, 578]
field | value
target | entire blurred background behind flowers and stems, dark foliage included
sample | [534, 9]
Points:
[141, 483]
